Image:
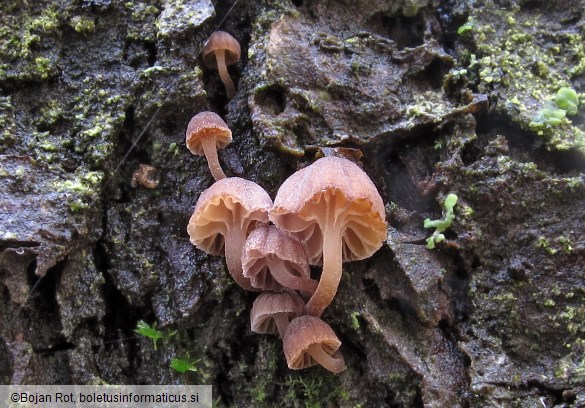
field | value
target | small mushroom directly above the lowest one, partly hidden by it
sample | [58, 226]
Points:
[272, 312]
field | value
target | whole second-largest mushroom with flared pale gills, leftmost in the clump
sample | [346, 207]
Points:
[224, 216]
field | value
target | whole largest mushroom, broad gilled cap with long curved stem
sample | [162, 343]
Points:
[334, 209]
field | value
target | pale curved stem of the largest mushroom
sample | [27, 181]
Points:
[331, 275]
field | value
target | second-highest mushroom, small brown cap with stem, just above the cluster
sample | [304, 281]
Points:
[206, 133]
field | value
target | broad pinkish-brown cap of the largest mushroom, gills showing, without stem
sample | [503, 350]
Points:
[299, 208]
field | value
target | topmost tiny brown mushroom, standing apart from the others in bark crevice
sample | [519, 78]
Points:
[221, 50]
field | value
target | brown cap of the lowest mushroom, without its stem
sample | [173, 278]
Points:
[306, 331]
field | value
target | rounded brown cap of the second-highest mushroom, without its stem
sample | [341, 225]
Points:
[207, 125]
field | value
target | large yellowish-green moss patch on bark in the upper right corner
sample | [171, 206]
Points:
[518, 58]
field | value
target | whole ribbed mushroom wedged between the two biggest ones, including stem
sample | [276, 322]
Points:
[274, 261]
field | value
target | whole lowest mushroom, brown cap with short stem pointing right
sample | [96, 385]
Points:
[307, 341]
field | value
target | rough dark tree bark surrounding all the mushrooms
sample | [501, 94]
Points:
[440, 97]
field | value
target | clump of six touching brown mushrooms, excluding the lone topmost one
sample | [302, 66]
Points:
[328, 213]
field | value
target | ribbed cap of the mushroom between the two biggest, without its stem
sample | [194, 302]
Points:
[267, 243]
